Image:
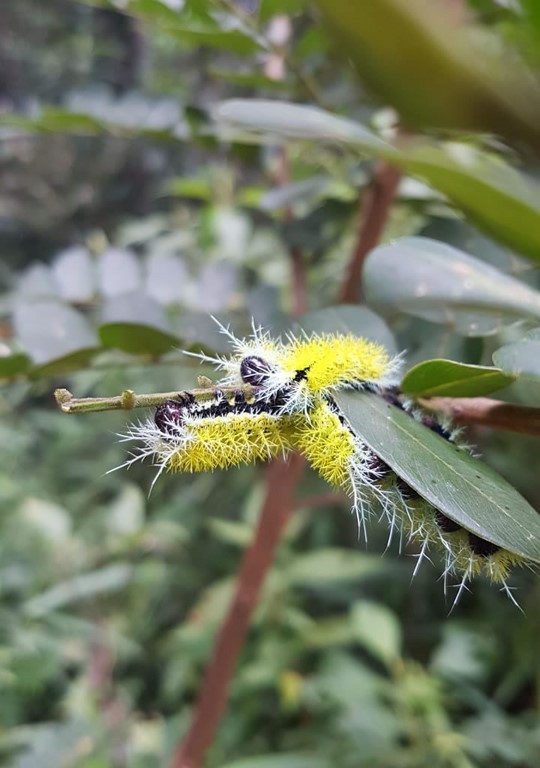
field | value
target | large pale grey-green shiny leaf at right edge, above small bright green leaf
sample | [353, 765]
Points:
[432, 280]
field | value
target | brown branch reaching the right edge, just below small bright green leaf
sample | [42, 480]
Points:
[486, 412]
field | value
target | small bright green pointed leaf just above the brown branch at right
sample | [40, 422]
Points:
[446, 378]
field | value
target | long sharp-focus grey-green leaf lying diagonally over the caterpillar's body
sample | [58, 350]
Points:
[460, 486]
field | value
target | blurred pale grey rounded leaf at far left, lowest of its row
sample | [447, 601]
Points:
[50, 330]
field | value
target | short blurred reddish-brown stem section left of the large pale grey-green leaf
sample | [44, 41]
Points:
[375, 206]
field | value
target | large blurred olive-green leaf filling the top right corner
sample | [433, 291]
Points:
[458, 82]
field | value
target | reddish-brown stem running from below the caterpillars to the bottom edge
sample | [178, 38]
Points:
[282, 477]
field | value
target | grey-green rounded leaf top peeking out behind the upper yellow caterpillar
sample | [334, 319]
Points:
[360, 321]
